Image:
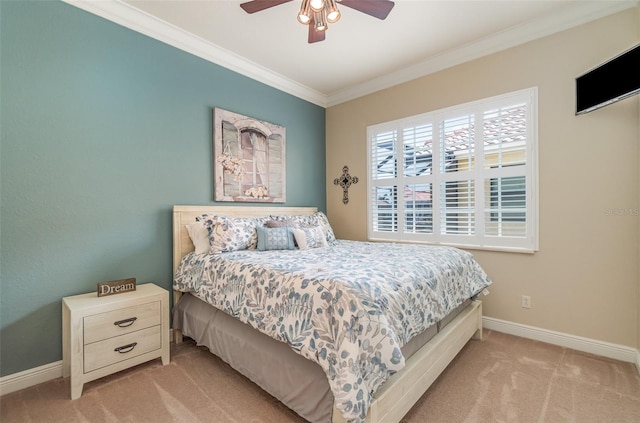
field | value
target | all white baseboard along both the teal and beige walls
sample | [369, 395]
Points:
[31, 377]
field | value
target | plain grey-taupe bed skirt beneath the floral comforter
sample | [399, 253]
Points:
[297, 382]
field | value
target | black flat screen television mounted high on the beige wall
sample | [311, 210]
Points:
[612, 81]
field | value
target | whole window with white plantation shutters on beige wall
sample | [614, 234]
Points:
[465, 175]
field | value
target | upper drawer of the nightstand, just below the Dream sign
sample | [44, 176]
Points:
[102, 326]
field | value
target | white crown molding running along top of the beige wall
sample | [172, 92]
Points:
[580, 13]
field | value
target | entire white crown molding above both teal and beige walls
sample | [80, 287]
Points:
[144, 23]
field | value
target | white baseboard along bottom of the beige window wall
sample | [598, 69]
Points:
[601, 348]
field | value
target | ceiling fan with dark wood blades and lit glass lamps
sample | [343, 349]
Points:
[318, 14]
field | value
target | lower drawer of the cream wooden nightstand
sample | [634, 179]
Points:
[114, 350]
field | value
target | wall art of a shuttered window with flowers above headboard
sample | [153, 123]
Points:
[249, 159]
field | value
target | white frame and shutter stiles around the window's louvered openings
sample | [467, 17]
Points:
[479, 174]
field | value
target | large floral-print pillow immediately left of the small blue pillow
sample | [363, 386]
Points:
[231, 233]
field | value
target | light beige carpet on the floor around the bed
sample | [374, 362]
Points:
[501, 379]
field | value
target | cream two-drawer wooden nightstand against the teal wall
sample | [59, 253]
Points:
[103, 335]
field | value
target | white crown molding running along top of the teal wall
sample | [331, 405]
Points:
[128, 16]
